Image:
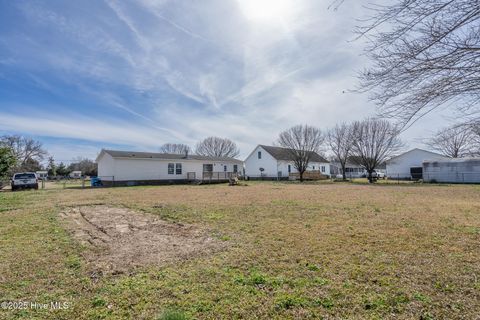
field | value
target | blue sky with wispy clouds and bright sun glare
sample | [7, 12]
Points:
[132, 75]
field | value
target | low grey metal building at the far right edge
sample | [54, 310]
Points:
[460, 170]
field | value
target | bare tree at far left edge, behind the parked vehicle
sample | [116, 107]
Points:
[27, 151]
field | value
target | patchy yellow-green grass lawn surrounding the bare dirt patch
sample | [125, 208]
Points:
[332, 250]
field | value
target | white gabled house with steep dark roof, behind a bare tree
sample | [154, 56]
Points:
[275, 163]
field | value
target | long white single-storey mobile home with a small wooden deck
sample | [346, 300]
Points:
[134, 168]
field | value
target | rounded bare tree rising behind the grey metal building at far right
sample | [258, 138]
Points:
[455, 141]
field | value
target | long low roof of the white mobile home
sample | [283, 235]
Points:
[162, 156]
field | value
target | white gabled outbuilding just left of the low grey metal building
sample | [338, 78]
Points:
[408, 165]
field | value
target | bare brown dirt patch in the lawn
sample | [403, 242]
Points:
[121, 239]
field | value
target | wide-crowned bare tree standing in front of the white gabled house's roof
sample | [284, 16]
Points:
[301, 141]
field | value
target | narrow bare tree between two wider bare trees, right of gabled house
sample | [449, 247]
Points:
[340, 142]
